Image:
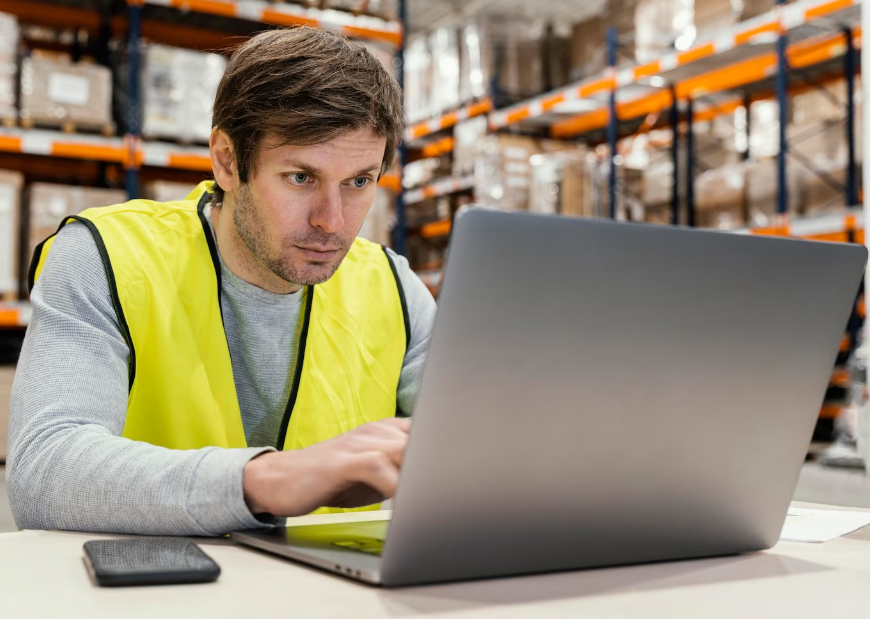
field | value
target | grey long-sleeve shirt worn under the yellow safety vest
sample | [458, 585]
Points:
[68, 466]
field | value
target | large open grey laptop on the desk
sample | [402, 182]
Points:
[600, 394]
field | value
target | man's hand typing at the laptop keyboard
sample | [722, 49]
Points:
[358, 468]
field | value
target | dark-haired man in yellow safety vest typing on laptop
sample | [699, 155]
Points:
[208, 365]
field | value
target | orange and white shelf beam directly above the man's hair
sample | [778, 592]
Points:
[279, 14]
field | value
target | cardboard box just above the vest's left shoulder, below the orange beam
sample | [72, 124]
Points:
[50, 204]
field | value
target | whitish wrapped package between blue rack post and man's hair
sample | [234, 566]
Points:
[179, 88]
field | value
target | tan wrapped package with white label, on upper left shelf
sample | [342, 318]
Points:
[57, 92]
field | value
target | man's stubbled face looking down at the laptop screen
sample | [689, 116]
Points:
[303, 206]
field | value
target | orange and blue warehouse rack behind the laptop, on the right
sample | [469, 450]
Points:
[809, 35]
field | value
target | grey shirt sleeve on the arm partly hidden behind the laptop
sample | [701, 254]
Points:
[421, 312]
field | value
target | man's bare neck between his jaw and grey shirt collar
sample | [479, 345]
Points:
[238, 257]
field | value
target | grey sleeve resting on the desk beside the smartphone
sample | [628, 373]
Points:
[68, 466]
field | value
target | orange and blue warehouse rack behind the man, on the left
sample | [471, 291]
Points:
[130, 151]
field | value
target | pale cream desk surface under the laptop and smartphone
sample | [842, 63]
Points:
[42, 575]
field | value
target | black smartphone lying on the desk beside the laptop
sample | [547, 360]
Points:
[148, 561]
